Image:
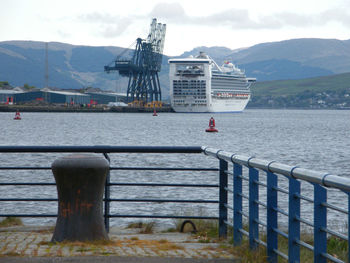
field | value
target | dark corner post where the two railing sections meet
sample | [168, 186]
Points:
[223, 199]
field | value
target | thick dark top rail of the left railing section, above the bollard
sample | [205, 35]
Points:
[102, 149]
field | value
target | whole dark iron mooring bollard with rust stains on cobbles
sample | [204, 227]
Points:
[80, 180]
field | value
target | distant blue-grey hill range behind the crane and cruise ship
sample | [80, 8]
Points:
[75, 67]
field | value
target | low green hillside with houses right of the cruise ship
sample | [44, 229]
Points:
[321, 92]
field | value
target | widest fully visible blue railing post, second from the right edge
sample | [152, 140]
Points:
[320, 223]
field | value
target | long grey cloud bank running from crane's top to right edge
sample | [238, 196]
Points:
[241, 18]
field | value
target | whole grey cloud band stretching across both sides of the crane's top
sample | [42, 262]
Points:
[110, 26]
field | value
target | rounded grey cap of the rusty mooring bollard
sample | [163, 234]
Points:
[82, 161]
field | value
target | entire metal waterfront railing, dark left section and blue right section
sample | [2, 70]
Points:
[239, 181]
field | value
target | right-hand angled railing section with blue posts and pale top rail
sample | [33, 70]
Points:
[273, 173]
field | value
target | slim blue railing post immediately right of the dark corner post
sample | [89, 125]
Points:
[237, 204]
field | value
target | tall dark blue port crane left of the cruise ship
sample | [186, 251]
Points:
[142, 69]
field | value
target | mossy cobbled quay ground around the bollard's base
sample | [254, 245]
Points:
[32, 244]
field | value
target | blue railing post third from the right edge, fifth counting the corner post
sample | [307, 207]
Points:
[293, 221]
